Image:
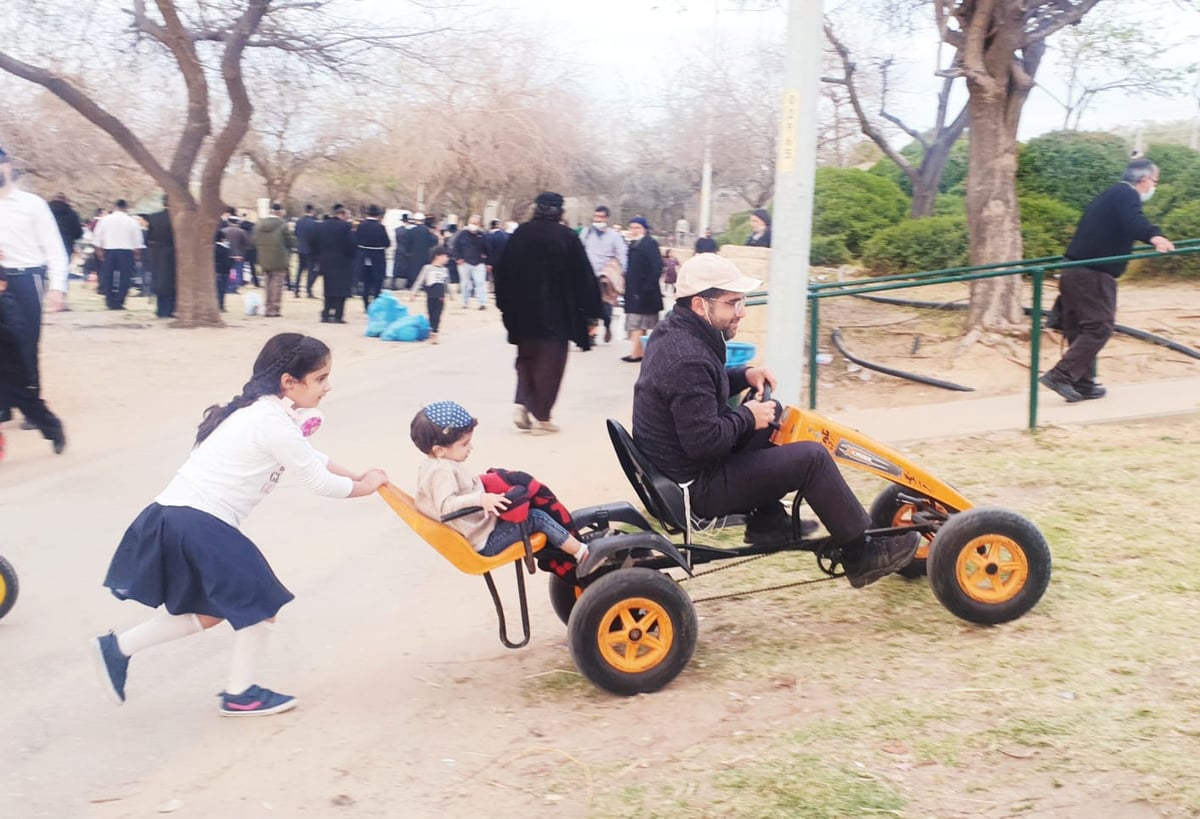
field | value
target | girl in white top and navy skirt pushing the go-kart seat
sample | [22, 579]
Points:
[185, 552]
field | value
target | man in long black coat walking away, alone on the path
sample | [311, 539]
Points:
[549, 297]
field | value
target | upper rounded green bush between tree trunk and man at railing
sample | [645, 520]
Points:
[1071, 166]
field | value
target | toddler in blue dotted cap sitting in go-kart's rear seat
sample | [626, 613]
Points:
[445, 485]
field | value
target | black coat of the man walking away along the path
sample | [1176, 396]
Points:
[544, 285]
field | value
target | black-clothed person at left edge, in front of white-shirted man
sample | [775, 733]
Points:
[19, 363]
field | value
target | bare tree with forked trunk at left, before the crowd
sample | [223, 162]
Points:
[203, 46]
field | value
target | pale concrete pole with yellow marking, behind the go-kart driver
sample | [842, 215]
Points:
[793, 219]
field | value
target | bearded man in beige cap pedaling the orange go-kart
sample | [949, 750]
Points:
[683, 423]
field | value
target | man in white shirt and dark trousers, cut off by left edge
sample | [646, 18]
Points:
[33, 259]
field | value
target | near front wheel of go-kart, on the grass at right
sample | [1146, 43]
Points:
[989, 566]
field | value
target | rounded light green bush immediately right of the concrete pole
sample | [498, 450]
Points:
[855, 205]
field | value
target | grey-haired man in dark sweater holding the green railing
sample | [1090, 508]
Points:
[1109, 228]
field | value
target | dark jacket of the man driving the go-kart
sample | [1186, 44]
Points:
[682, 417]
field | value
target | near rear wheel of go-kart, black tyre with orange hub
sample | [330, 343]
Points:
[633, 632]
